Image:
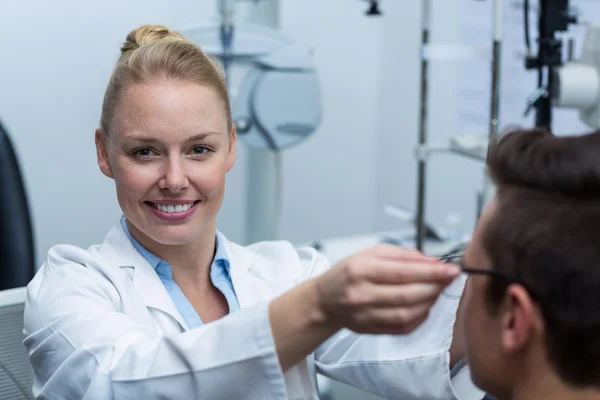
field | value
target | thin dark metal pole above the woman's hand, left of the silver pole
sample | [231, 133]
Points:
[421, 177]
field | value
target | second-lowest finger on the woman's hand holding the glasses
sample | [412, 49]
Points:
[373, 295]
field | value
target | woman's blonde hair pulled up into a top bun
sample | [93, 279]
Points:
[153, 51]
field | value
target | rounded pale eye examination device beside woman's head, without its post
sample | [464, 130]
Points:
[278, 102]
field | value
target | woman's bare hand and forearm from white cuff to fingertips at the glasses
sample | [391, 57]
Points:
[387, 290]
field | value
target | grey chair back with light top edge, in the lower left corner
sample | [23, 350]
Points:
[16, 374]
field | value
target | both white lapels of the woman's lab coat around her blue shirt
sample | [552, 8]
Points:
[118, 251]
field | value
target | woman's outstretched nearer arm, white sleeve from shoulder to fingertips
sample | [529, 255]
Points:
[82, 346]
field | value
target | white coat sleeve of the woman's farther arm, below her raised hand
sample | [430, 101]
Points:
[414, 365]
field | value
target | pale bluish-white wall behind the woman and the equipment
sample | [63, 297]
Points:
[57, 57]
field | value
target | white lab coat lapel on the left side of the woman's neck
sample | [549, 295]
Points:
[118, 250]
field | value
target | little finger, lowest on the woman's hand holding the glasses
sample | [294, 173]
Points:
[400, 319]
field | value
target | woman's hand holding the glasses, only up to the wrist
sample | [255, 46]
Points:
[384, 290]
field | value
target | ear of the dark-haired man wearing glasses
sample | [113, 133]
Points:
[518, 323]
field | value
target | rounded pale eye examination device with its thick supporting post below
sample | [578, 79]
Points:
[276, 106]
